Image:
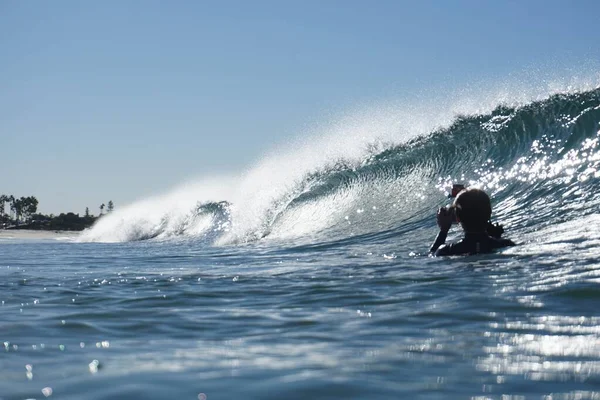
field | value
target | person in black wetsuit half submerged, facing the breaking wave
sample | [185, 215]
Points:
[472, 208]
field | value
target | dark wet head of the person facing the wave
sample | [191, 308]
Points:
[473, 209]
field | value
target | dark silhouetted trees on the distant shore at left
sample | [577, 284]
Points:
[23, 215]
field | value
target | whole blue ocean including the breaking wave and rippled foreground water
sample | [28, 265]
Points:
[308, 276]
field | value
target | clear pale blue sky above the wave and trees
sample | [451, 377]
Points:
[104, 100]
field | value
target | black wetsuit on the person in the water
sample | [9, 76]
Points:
[472, 243]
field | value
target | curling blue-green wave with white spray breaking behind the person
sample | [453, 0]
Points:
[539, 160]
